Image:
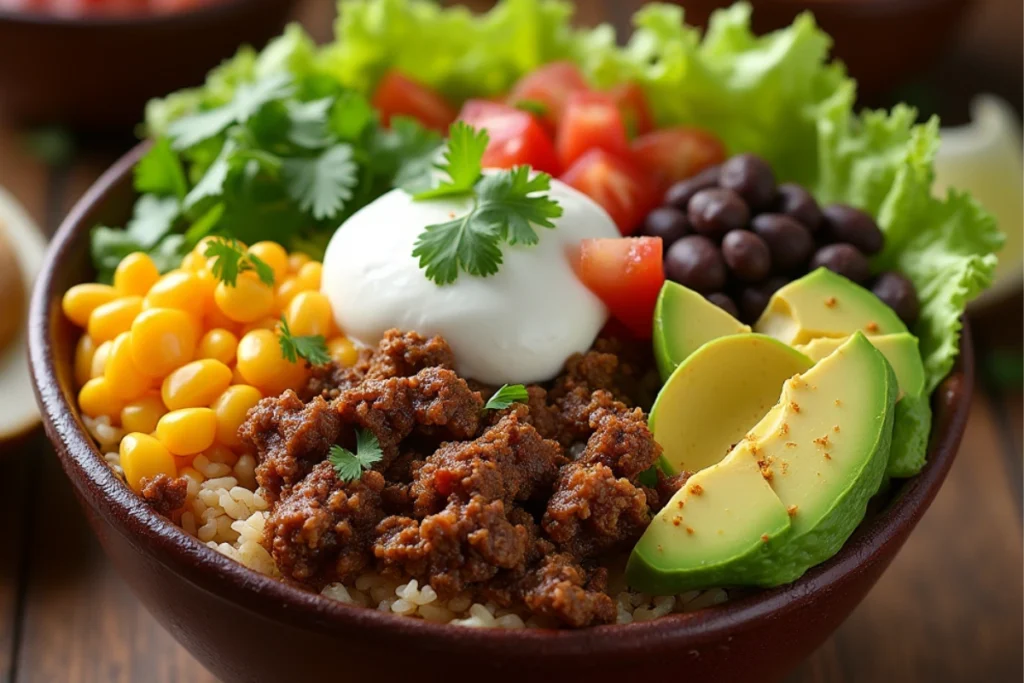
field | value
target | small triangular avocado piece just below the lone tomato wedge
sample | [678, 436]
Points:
[685, 321]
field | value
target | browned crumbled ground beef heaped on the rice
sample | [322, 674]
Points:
[517, 506]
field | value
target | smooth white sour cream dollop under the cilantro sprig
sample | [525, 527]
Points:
[518, 326]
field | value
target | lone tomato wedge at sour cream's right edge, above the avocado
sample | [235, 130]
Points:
[627, 275]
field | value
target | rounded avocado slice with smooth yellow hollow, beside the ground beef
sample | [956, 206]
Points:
[711, 401]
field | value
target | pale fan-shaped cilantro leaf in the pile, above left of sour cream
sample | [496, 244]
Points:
[323, 185]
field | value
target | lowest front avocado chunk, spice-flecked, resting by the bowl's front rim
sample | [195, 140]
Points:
[718, 530]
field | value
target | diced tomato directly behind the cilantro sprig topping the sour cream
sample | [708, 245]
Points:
[517, 138]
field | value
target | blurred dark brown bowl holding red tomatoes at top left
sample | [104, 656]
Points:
[95, 72]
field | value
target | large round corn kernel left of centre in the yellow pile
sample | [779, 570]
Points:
[162, 339]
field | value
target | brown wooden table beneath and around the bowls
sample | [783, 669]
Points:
[948, 611]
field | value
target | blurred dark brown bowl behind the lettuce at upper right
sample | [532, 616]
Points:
[883, 42]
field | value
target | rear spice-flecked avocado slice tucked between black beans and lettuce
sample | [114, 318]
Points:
[826, 305]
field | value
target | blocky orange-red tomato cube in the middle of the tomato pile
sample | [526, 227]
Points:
[591, 120]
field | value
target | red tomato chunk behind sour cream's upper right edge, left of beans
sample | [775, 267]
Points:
[615, 184]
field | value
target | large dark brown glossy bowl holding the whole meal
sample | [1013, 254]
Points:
[246, 627]
